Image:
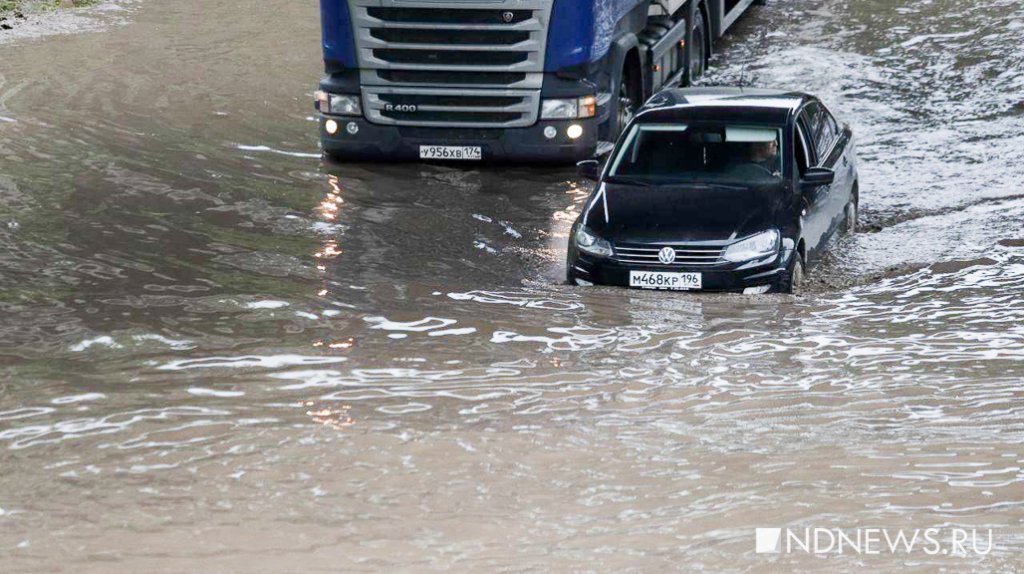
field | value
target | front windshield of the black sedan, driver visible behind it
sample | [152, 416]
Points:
[705, 154]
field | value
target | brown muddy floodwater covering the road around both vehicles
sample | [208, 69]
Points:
[219, 355]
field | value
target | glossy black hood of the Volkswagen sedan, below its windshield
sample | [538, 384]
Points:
[691, 213]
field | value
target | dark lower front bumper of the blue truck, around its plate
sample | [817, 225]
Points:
[376, 143]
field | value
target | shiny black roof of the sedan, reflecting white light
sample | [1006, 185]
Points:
[723, 104]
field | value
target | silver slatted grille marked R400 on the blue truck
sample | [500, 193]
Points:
[458, 64]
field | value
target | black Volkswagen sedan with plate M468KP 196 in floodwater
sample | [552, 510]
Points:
[728, 190]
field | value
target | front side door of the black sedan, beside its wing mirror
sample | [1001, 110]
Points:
[815, 217]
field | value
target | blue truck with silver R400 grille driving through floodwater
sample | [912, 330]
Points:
[502, 80]
